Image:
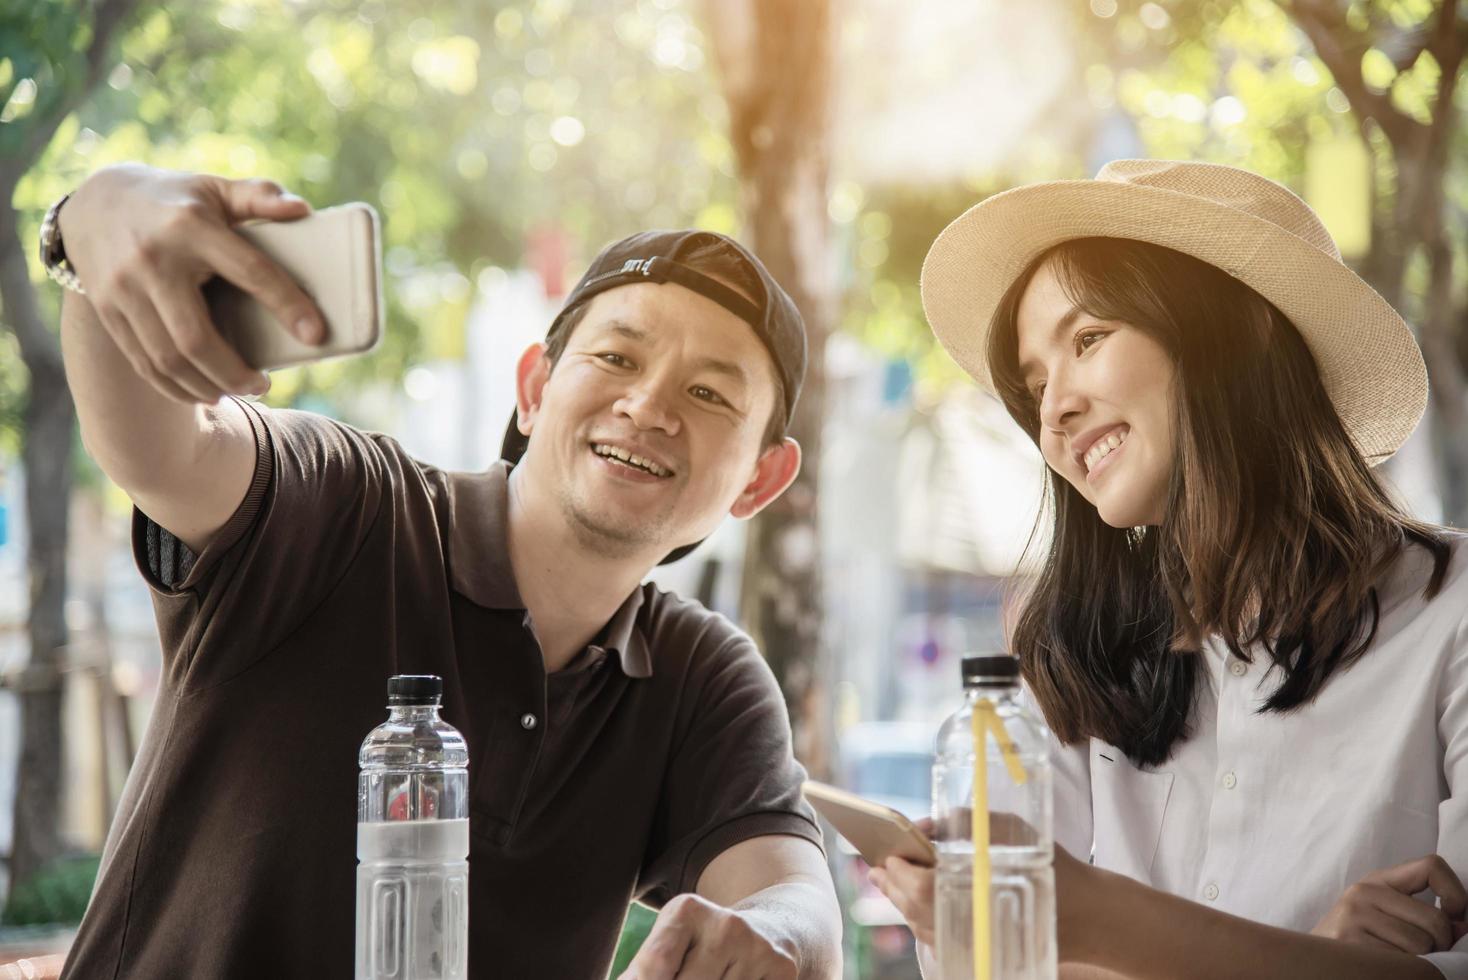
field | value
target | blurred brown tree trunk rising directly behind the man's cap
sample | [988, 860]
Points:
[776, 62]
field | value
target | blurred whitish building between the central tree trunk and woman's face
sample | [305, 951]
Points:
[926, 516]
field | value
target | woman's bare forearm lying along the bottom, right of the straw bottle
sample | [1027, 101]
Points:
[1146, 934]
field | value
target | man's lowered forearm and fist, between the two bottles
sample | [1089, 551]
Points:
[764, 909]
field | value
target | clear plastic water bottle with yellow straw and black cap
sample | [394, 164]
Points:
[1017, 796]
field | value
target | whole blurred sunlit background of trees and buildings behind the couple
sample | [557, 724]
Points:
[506, 142]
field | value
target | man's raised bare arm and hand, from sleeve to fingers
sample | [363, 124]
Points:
[145, 360]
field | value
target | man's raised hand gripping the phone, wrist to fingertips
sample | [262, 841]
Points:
[146, 241]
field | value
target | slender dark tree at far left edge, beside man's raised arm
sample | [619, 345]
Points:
[52, 56]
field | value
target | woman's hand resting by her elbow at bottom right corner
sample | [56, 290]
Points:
[1381, 912]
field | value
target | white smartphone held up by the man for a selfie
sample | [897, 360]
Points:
[335, 256]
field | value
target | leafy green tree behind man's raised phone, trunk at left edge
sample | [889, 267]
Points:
[469, 127]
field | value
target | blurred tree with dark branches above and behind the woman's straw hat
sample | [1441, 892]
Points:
[1260, 83]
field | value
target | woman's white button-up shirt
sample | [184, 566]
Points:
[1273, 816]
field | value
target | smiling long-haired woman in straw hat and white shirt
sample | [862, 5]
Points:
[1256, 664]
